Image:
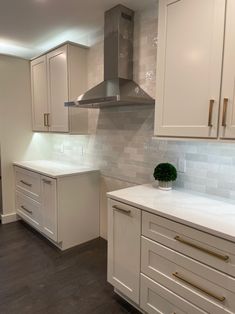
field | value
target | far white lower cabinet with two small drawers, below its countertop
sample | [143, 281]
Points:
[64, 209]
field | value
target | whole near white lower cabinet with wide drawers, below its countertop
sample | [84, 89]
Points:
[164, 267]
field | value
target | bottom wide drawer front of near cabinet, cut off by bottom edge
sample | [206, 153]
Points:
[157, 299]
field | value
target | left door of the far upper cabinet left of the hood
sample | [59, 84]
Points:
[39, 93]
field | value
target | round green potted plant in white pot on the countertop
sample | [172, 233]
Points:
[165, 173]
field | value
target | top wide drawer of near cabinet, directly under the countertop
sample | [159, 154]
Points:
[206, 248]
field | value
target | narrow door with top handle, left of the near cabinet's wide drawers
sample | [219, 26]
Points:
[124, 248]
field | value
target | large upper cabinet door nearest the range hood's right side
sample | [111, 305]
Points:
[189, 65]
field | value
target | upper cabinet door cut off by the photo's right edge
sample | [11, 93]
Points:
[227, 114]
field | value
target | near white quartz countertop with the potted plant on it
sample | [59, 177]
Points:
[210, 214]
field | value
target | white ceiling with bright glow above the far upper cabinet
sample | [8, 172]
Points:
[31, 27]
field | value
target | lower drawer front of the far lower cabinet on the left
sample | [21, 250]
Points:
[29, 210]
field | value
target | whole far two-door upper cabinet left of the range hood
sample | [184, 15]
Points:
[58, 77]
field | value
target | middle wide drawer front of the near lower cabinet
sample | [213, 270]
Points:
[198, 283]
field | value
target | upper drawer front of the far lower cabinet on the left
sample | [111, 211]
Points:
[28, 183]
